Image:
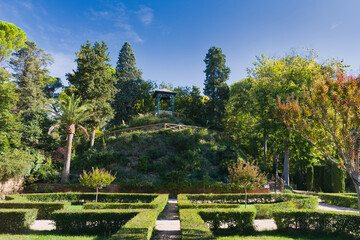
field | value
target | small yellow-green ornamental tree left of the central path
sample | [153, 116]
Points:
[97, 178]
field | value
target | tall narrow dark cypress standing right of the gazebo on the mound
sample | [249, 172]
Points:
[216, 89]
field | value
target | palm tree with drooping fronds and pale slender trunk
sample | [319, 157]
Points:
[70, 112]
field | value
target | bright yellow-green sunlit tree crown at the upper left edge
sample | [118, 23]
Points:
[12, 38]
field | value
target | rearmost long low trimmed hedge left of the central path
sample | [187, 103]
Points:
[85, 197]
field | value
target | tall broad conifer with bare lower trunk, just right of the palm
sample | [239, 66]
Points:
[94, 81]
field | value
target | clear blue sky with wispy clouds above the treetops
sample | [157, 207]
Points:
[171, 37]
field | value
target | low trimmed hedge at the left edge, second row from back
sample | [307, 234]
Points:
[45, 209]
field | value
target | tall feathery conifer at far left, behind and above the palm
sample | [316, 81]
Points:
[30, 71]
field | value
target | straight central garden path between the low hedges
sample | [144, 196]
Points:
[168, 224]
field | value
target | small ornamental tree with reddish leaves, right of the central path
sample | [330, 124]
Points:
[246, 176]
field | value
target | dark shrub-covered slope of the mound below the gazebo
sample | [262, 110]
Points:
[164, 157]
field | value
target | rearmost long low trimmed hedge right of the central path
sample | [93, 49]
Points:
[228, 200]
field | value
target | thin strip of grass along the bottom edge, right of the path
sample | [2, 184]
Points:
[275, 235]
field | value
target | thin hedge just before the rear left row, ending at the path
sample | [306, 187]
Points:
[159, 202]
